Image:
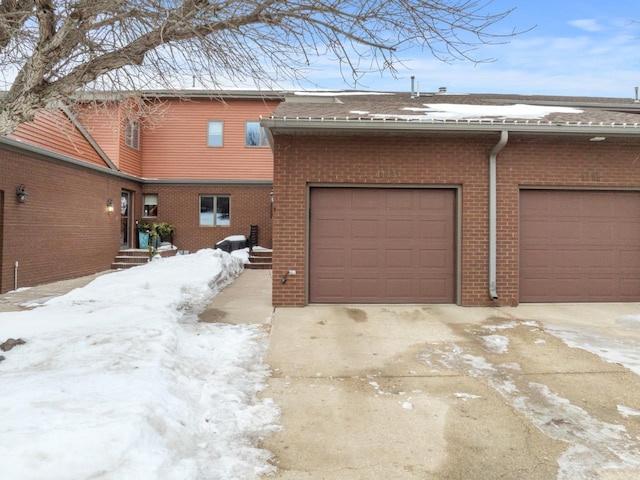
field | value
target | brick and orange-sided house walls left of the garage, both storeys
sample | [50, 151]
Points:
[64, 230]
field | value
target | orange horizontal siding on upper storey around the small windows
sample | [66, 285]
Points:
[177, 146]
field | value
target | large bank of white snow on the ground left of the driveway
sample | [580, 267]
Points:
[118, 380]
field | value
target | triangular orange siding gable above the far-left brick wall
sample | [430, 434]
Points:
[54, 131]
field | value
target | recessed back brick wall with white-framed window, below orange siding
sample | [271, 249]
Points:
[179, 205]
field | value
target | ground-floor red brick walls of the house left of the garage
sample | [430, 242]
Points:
[64, 230]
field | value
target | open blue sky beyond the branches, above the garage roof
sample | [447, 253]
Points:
[578, 47]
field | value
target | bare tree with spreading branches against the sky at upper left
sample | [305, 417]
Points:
[60, 47]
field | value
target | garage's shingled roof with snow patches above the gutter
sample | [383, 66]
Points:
[477, 111]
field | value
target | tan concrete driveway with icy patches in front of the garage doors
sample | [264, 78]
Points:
[446, 392]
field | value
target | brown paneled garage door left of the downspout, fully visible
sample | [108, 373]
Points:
[377, 245]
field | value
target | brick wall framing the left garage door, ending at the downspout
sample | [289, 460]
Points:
[396, 160]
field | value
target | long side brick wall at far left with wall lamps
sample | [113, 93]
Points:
[63, 230]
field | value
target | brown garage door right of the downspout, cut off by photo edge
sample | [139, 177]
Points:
[578, 246]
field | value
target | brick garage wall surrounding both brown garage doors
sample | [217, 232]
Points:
[438, 160]
